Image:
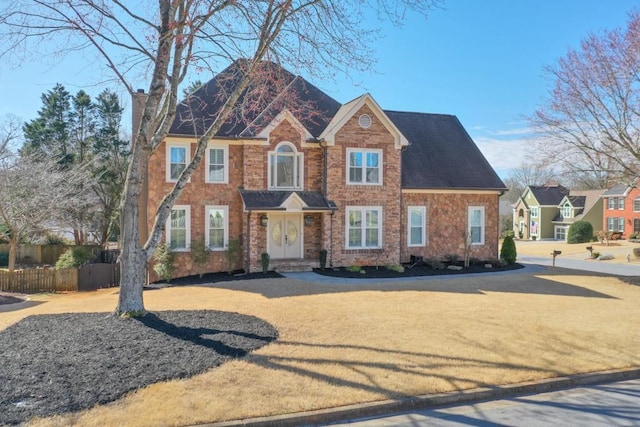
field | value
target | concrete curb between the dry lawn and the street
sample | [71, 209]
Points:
[388, 407]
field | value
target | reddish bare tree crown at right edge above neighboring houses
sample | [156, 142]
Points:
[590, 121]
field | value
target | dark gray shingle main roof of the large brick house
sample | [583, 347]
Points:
[440, 155]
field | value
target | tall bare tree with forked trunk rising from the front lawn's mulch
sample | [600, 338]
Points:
[170, 38]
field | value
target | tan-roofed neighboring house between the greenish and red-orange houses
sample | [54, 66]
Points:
[578, 206]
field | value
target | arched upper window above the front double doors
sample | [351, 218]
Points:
[286, 167]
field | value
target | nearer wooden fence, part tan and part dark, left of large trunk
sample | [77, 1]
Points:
[88, 277]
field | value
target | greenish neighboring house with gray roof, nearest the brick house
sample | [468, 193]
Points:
[535, 210]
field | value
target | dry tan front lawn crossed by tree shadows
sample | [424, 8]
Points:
[344, 344]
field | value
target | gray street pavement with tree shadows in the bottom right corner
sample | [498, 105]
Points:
[613, 404]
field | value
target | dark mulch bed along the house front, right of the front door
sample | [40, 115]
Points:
[416, 271]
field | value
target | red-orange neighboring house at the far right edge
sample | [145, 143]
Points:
[621, 209]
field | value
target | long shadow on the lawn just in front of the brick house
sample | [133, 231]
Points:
[526, 281]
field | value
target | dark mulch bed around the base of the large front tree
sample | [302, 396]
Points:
[53, 364]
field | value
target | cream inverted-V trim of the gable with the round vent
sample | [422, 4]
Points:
[352, 107]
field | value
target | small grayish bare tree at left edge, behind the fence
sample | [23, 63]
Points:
[36, 193]
